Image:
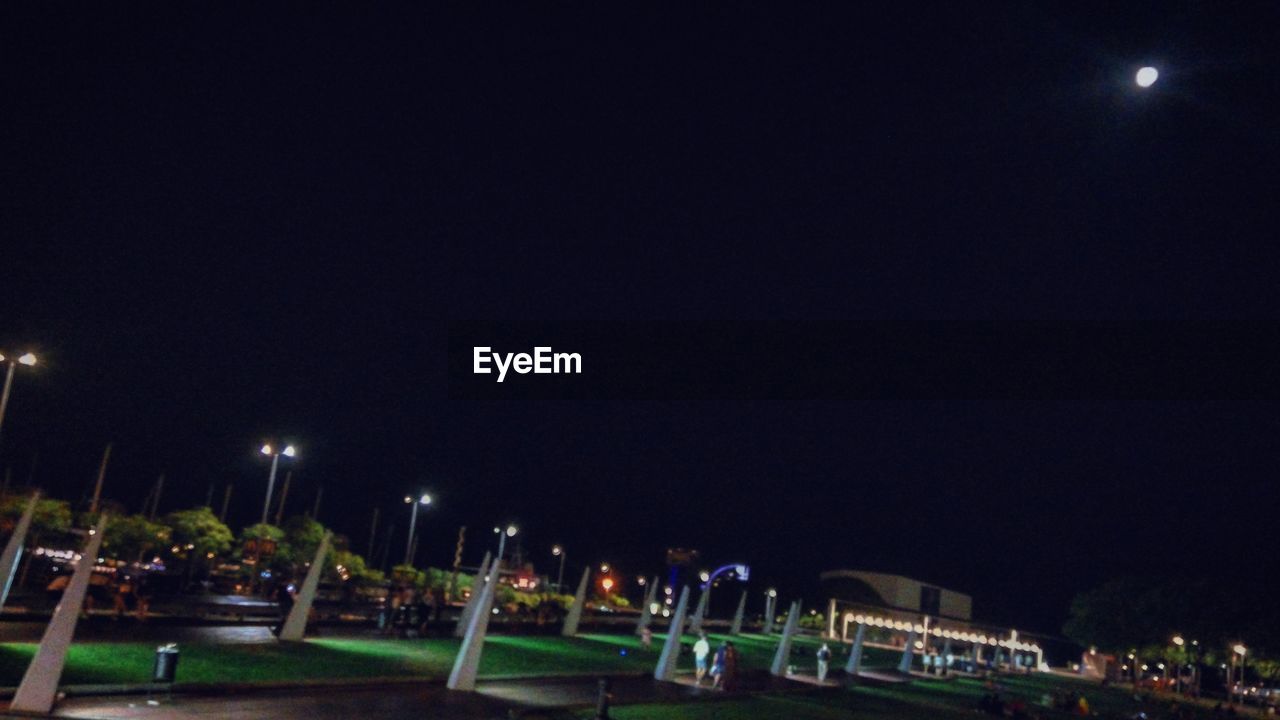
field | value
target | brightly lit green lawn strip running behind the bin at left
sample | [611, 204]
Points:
[346, 659]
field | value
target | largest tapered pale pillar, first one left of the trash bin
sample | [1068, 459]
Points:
[39, 687]
